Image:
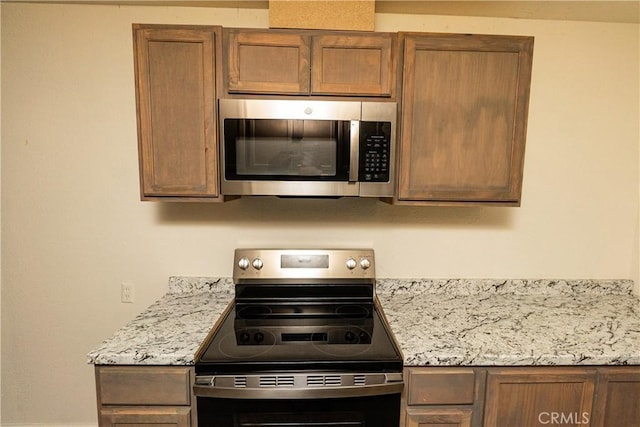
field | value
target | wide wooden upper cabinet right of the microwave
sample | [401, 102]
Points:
[463, 118]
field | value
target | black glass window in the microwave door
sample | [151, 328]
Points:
[286, 150]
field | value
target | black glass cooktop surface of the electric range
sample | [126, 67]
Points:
[337, 335]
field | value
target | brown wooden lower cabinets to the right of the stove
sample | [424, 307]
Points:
[593, 396]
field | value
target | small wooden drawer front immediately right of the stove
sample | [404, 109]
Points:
[433, 386]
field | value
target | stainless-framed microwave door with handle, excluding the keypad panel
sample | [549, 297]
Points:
[274, 147]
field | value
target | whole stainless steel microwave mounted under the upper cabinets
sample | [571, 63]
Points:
[307, 148]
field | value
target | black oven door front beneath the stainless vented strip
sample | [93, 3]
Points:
[370, 411]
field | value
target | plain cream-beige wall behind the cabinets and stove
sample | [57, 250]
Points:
[73, 228]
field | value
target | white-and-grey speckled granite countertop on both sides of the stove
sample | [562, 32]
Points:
[436, 322]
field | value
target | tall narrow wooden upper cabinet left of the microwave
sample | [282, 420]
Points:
[176, 74]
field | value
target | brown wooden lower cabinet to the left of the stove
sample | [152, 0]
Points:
[145, 395]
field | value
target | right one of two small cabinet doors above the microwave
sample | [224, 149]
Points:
[353, 64]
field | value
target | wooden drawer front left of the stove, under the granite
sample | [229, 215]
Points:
[129, 385]
